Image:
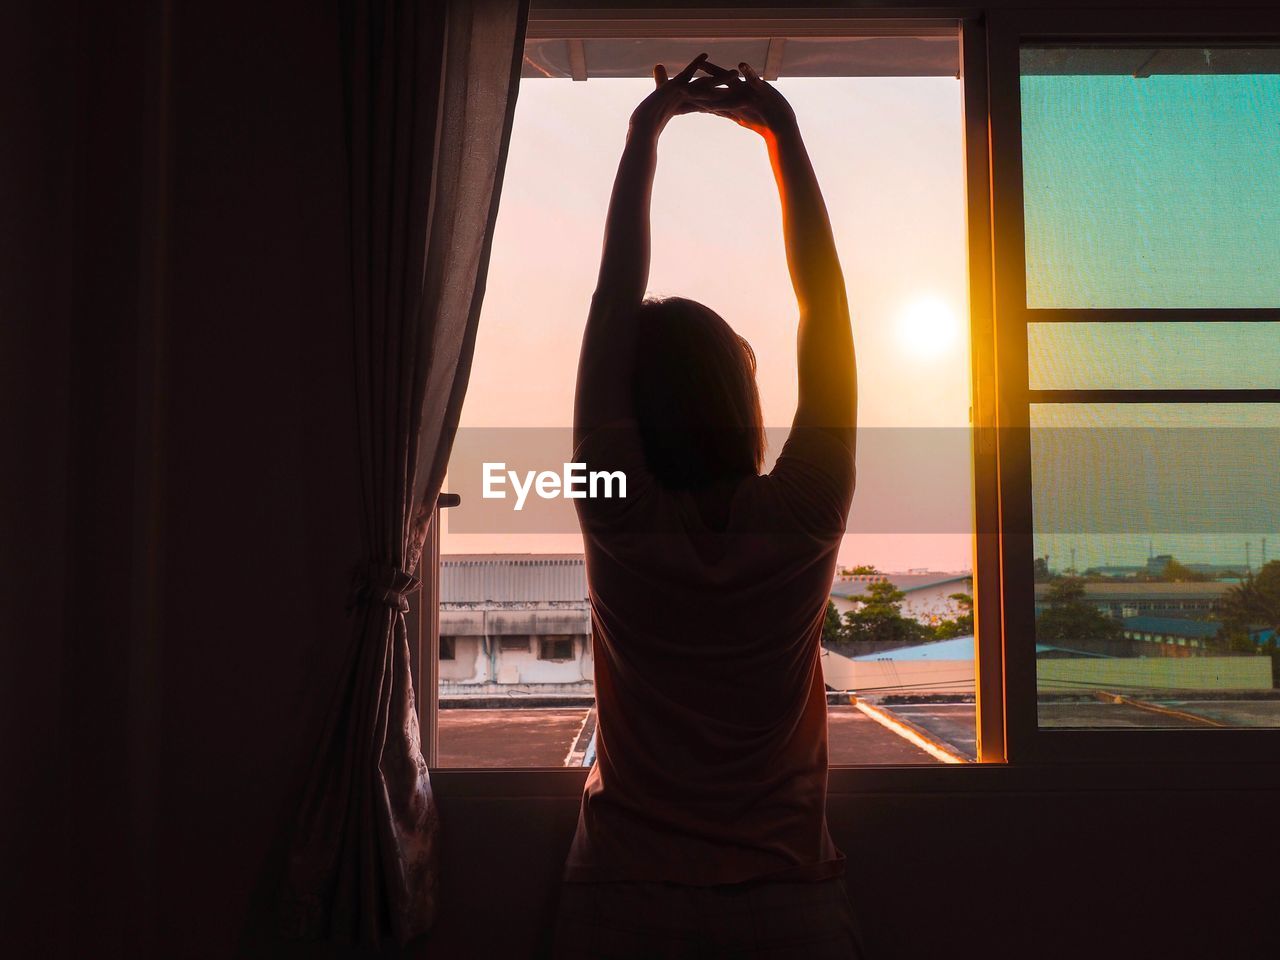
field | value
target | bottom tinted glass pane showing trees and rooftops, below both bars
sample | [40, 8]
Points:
[1158, 598]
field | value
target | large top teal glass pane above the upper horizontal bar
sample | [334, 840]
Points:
[1151, 179]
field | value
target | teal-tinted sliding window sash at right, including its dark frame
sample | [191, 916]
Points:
[1140, 185]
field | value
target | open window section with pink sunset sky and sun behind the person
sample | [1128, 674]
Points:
[883, 118]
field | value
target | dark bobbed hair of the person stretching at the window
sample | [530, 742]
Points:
[696, 396]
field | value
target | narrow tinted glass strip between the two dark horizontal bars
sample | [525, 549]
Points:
[1146, 356]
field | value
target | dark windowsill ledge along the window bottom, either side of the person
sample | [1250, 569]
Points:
[927, 779]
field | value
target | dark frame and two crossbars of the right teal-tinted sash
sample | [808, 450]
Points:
[1007, 33]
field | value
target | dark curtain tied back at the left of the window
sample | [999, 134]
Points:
[431, 90]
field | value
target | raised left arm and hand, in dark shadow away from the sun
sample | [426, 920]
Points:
[606, 363]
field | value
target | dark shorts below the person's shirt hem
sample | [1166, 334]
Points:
[664, 921]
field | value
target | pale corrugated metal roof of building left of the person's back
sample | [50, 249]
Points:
[513, 578]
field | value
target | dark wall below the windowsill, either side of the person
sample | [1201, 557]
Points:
[935, 874]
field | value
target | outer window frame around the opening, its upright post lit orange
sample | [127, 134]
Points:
[1012, 757]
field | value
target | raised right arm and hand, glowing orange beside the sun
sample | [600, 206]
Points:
[825, 342]
